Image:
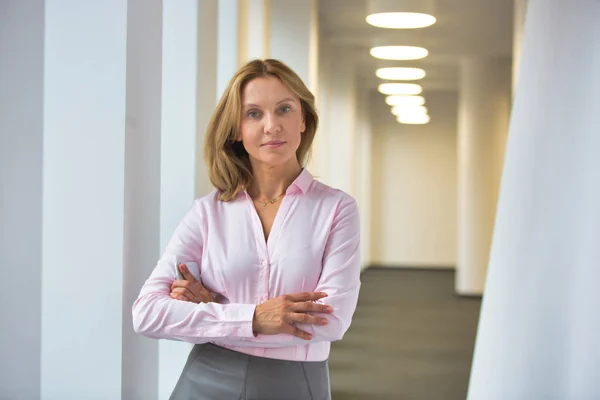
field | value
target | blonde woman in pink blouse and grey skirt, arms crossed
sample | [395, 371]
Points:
[270, 259]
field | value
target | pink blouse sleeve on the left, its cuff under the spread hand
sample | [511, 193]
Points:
[157, 315]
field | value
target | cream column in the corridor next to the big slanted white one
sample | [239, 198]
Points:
[484, 107]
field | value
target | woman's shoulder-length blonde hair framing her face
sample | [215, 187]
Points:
[228, 163]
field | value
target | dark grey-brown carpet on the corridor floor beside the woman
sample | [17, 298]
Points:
[411, 338]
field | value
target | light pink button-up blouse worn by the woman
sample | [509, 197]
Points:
[313, 246]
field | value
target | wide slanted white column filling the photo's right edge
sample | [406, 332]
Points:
[538, 331]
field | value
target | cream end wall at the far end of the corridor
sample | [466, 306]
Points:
[414, 186]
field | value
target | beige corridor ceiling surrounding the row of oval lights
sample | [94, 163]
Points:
[464, 28]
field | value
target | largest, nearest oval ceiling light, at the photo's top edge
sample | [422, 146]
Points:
[401, 14]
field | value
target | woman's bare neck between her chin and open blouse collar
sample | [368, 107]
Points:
[269, 182]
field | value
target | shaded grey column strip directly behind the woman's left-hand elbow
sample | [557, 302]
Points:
[142, 187]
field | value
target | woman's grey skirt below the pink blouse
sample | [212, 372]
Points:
[216, 373]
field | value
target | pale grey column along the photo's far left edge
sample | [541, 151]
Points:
[21, 141]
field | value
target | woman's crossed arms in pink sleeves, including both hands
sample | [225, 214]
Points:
[280, 322]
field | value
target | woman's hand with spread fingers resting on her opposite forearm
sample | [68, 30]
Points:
[278, 315]
